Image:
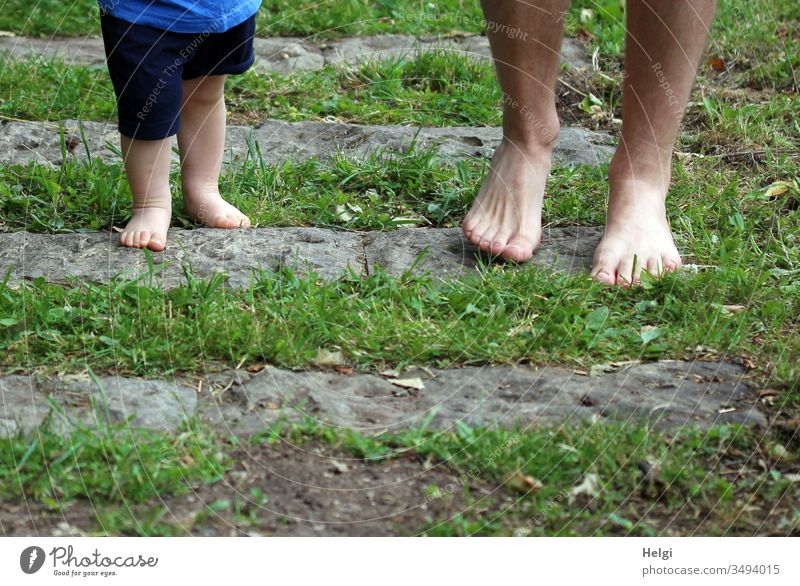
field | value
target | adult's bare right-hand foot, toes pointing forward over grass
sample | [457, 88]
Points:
[637, 236]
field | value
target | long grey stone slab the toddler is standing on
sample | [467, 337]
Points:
[97, 257]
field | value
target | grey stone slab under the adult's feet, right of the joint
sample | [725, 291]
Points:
[446, 253]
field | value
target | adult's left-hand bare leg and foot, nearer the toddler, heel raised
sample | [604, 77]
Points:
[525, 37]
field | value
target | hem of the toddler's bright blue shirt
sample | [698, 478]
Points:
[183, 16]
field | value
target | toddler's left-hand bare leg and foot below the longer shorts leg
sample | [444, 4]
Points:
[147, 164]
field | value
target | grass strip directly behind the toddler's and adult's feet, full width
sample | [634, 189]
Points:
[417, 188]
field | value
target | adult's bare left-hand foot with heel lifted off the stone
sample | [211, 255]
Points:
[506, 217]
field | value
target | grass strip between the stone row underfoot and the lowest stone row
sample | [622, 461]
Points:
[379, 321]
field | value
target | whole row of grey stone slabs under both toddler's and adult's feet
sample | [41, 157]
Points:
[97, 257]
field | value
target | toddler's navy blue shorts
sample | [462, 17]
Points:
[148, 66]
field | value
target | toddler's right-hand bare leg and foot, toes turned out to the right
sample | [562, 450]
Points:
[202, 142]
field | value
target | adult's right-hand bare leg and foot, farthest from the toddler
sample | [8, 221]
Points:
[664, 44]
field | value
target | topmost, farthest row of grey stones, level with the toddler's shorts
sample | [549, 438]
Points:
[287, 54]
